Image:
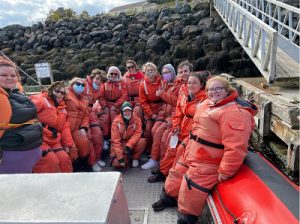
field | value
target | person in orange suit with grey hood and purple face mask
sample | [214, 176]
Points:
[169, 96]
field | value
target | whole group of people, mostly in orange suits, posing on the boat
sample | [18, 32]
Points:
[192, 124]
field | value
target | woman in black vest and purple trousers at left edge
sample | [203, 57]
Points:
[20, 132]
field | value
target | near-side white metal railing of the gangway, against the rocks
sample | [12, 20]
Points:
[257, 38]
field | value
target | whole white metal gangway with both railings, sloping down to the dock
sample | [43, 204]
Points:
[268, 30]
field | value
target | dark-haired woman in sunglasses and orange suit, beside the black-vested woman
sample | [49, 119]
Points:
[57, 138]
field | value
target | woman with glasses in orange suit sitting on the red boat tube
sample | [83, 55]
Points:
[215, 150]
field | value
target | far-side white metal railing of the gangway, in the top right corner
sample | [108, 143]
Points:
[280, 16]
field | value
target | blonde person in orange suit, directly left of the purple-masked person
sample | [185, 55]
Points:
[149, 101]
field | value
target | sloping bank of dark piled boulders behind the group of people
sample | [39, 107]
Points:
[75, 47]
